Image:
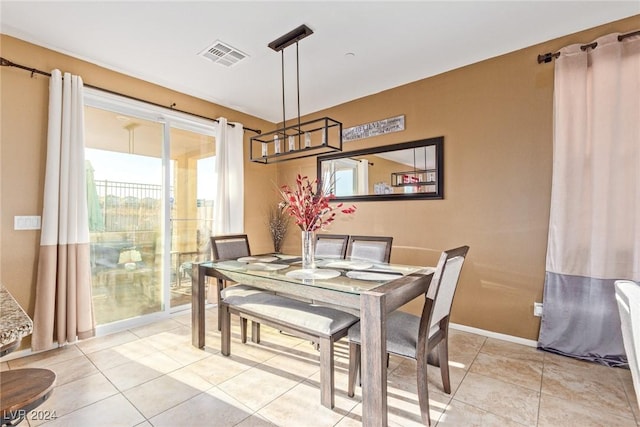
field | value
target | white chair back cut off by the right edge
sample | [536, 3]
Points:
[628, 298]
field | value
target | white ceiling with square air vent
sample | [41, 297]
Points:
[357, 49]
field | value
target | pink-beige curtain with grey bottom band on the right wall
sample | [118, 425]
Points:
[594, 227]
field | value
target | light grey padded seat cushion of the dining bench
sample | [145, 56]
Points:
[323, 321]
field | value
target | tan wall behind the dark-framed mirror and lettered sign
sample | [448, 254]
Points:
[496, 118]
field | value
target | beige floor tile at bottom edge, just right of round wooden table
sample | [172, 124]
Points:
[114, 411]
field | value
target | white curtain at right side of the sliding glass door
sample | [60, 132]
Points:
[229, 204]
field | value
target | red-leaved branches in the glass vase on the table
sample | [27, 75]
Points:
[310, 207]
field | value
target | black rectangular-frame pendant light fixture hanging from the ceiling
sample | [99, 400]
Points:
[295, 140]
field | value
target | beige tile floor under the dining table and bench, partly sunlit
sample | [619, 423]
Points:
[152, 376]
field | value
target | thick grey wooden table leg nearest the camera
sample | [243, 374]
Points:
[374, 361]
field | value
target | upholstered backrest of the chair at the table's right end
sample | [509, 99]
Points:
[439, 296]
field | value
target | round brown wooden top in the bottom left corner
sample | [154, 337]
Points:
[22, 390]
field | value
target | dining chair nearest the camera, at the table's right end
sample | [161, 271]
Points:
[414, 337]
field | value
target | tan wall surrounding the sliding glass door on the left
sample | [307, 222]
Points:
[23, 117]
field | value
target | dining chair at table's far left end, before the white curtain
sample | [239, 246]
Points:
[231, 247]
